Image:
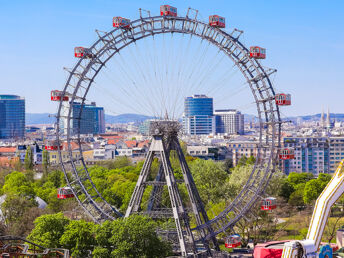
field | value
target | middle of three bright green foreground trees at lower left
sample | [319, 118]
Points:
[78, 237]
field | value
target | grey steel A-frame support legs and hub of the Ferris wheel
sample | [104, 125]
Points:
[165, 139]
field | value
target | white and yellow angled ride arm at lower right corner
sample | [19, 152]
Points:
[309, 247]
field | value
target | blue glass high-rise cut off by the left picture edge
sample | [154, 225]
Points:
[12, 117]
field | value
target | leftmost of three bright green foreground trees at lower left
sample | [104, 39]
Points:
[49, 229]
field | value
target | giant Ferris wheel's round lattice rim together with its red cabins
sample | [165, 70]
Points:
[125, 33]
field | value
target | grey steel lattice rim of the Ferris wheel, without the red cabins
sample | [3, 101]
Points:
[110, 43]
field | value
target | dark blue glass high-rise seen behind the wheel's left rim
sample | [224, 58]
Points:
[92, 118]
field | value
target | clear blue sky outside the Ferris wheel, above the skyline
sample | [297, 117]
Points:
[304, 41]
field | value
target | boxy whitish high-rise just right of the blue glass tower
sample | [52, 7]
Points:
[229, 121]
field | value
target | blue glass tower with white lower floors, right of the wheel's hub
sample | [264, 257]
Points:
[198, 115]
